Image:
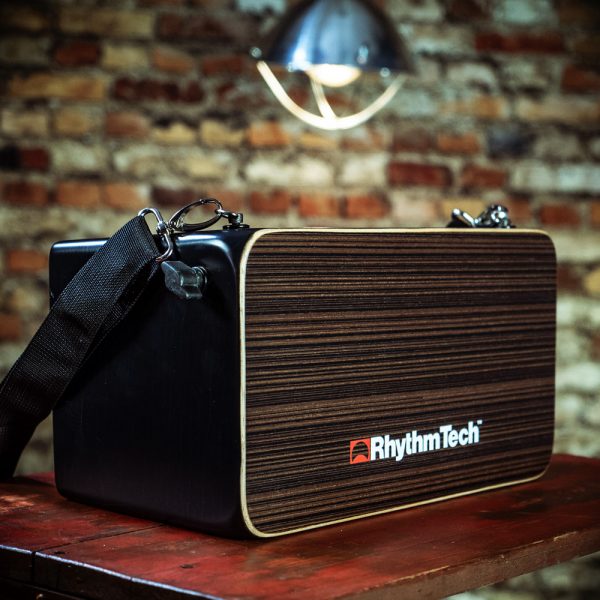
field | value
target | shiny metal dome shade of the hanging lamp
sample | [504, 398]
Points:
[337, 32]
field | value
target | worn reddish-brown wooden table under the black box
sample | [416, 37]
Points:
[64, 549]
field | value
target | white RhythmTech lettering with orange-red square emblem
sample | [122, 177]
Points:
[380, 447]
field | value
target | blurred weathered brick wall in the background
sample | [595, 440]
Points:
[111, 106]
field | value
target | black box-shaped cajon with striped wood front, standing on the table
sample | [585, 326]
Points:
[324, 376]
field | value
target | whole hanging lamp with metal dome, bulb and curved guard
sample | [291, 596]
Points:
[333, 42]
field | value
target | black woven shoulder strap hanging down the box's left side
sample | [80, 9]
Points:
[93, 303]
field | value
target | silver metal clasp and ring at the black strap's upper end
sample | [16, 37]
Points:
[177, 225]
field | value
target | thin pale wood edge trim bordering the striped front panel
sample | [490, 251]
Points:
[242, 296]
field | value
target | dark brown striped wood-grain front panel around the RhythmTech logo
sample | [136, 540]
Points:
[352, 335]
